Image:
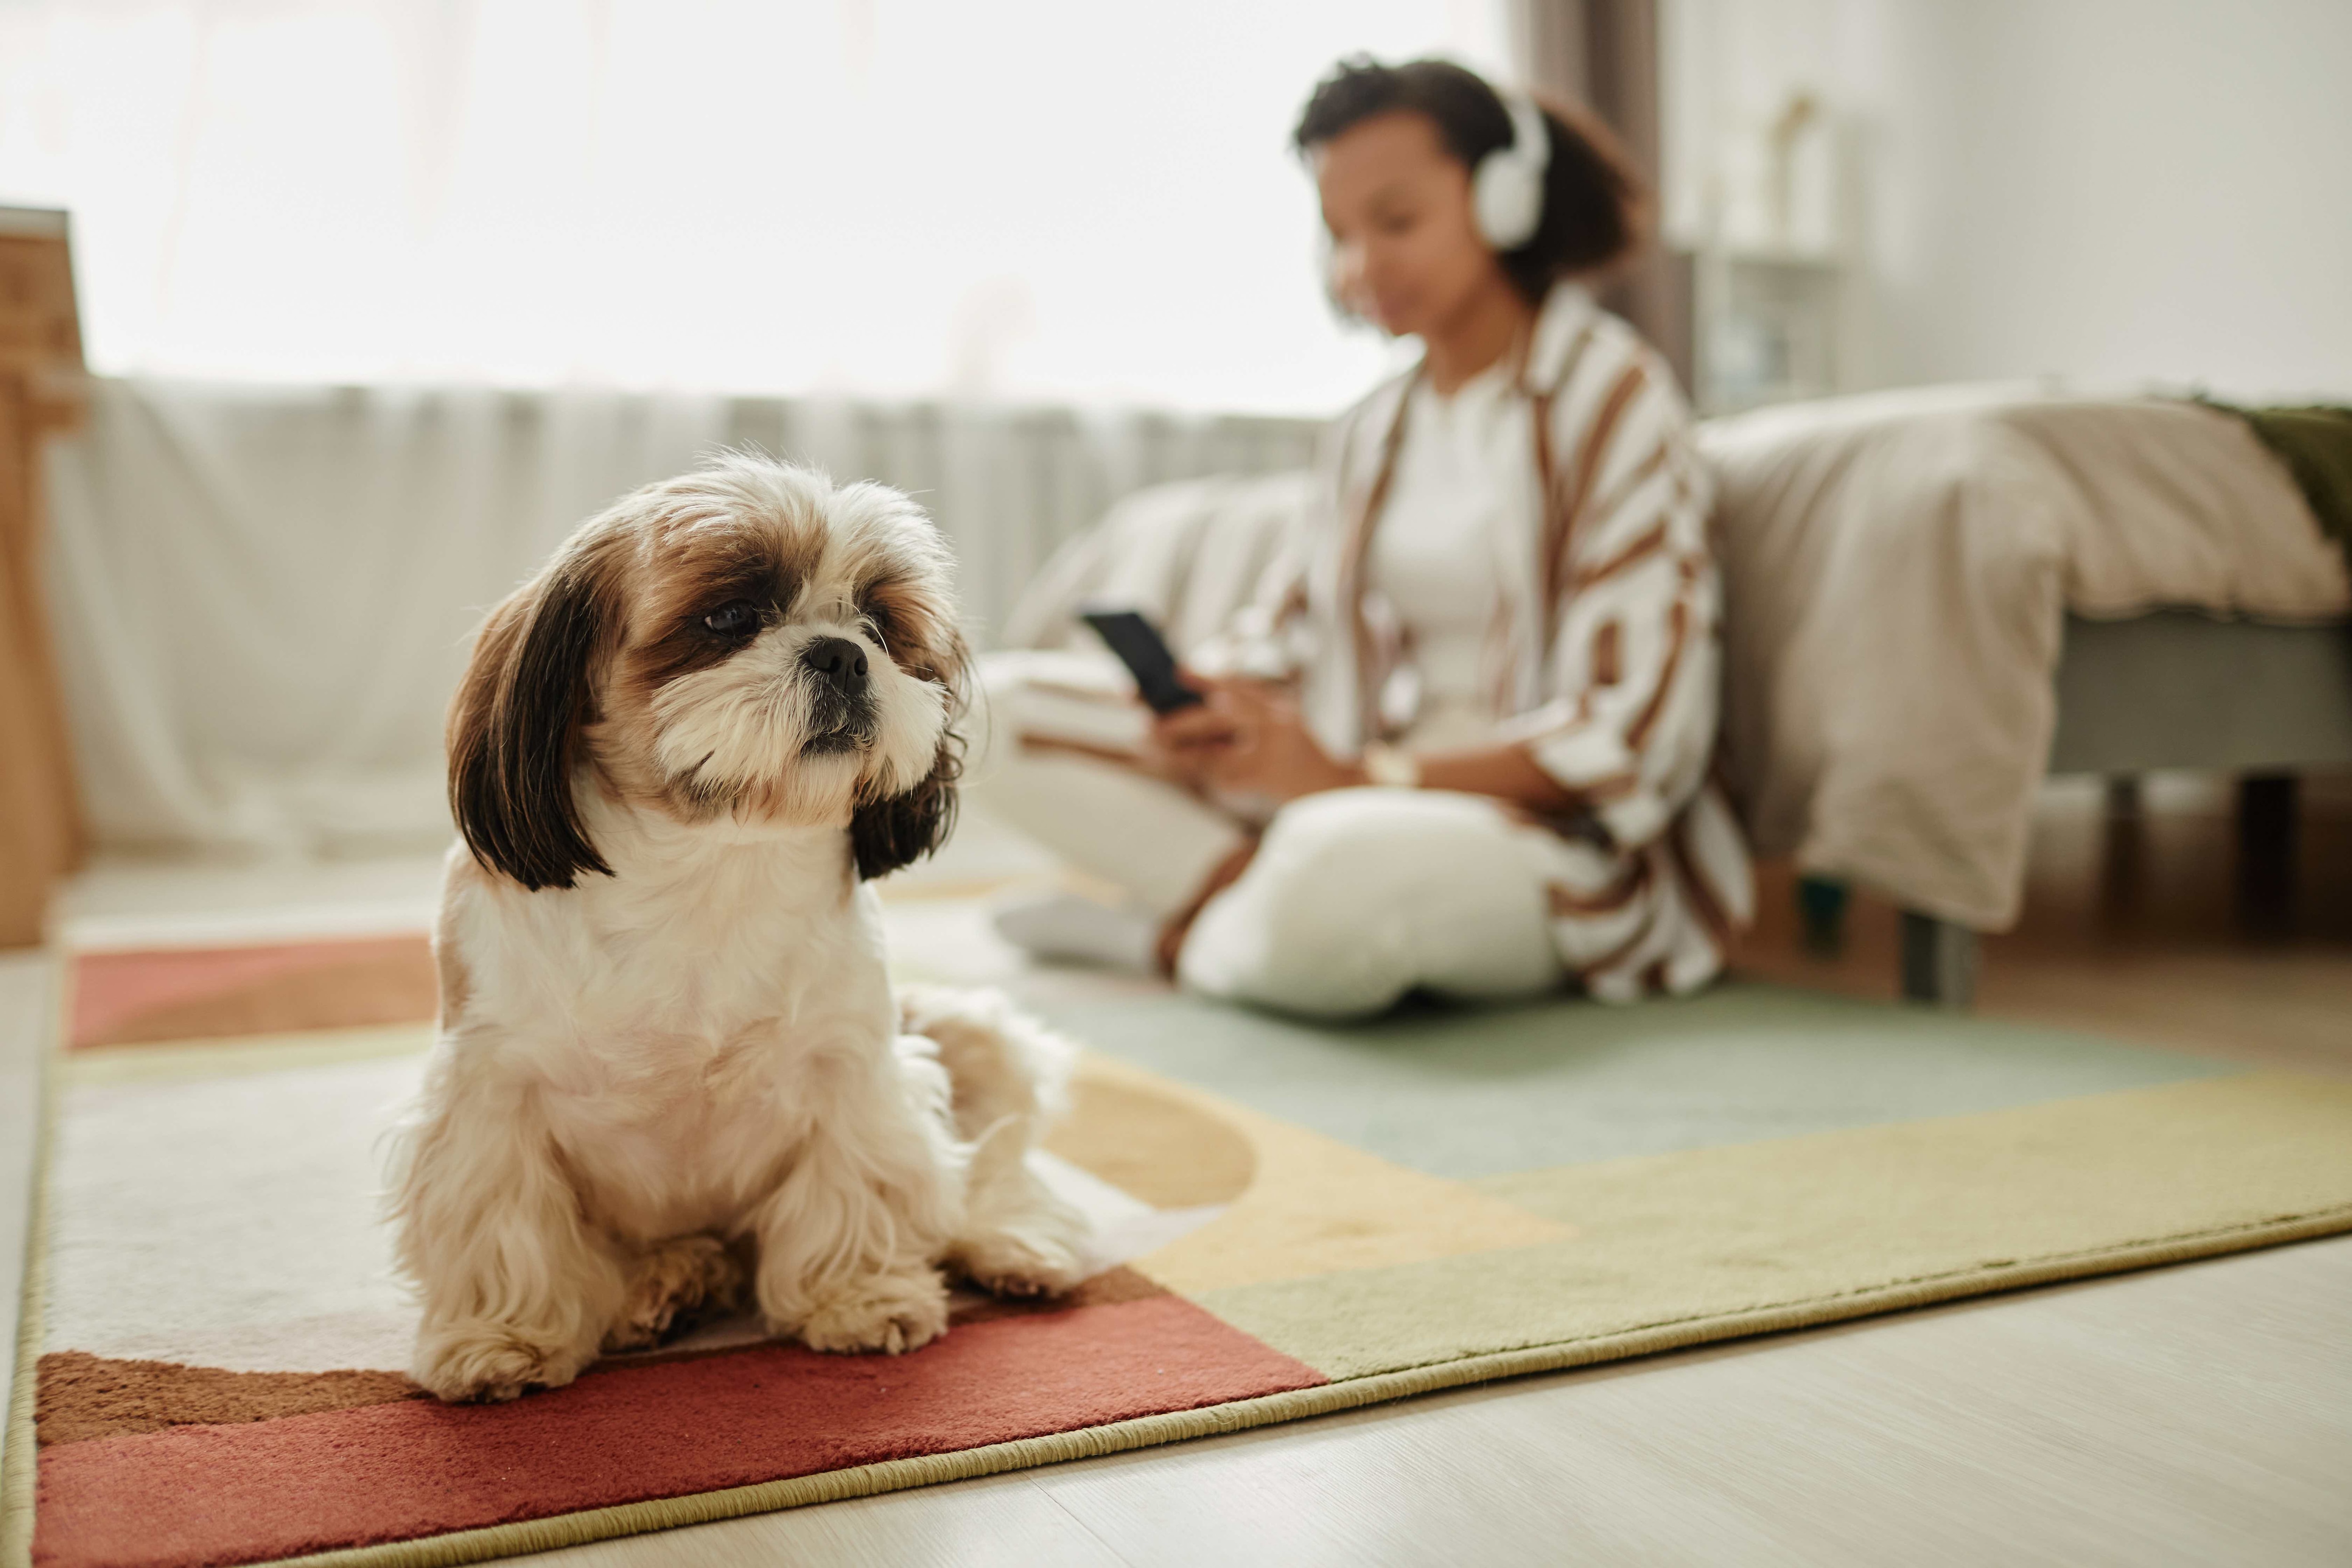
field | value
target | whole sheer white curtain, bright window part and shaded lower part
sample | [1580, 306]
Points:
[392, 293]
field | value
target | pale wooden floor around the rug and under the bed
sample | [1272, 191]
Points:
[2181, 1416]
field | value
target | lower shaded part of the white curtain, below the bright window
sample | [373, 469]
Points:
[262, 596]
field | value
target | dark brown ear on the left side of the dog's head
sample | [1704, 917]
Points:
[516, 730]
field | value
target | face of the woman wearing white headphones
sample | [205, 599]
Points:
[1405, 246]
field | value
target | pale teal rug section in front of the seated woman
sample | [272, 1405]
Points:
[1485, 1092]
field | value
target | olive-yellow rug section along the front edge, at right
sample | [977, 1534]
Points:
[1843, 1224]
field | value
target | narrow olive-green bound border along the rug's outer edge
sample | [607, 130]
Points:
[20, 1468]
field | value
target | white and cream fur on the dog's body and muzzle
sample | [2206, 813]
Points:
[693, 1076]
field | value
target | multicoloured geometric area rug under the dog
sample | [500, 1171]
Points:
[1288, 1221]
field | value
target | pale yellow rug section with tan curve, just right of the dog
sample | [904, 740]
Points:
[1311, 1205]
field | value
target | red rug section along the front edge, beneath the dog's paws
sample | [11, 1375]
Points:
[406, 1470]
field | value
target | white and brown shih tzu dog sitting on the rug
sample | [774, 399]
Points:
[671, 1068]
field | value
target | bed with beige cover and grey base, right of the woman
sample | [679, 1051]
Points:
[1944, 596]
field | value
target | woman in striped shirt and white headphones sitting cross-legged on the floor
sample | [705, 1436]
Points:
[1462, 742]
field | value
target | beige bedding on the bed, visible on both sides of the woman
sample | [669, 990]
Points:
[1897, 570]
